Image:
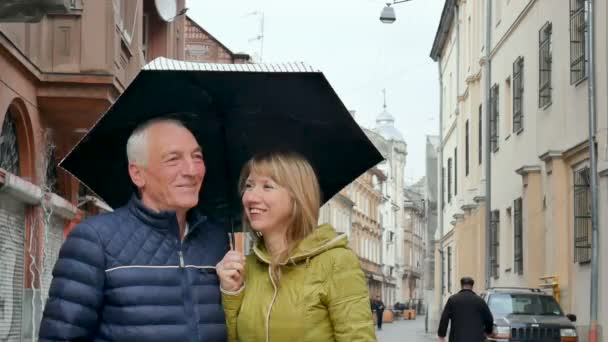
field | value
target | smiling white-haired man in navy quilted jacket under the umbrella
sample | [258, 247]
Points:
[144, 272]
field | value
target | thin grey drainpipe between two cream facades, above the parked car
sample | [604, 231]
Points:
[488, 154]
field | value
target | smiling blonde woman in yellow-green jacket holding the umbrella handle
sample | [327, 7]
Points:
[303, 283]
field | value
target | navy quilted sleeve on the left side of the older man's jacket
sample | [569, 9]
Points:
[76, 292]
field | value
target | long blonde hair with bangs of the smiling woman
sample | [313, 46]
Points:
[294, 173]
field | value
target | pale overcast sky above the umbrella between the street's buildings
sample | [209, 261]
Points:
[358, 54]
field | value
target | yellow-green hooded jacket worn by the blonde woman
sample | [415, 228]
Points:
[322, 295]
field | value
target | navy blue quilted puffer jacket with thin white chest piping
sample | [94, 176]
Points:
[126, 276]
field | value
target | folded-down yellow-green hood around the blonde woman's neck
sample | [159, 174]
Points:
[320, 240]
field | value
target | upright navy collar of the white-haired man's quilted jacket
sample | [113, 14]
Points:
[164, 220]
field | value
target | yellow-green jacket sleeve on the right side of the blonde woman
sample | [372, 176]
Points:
[348, 300]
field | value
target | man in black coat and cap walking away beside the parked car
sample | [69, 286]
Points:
[470, 317]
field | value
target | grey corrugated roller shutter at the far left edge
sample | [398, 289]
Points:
[12, 246]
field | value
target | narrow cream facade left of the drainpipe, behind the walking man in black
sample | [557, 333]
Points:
[460, 233]
